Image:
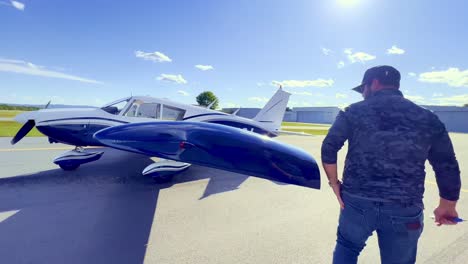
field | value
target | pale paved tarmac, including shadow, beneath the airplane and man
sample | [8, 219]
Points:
[107, 212]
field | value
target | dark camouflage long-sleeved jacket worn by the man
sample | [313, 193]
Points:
[389, 140]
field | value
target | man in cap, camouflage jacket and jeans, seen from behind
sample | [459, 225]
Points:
[389, 140]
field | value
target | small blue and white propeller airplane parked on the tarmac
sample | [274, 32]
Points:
[181, 134]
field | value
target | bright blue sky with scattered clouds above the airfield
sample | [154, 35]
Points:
[93, 52]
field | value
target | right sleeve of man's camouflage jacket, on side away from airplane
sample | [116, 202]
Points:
[445, 165]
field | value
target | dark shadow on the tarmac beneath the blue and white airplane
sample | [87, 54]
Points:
[101, 213]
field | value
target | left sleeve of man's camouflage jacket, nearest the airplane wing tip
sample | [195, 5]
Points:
[336, 137]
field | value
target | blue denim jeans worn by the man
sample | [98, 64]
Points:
[398, 229]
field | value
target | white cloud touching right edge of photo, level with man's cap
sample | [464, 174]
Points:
[452, 77]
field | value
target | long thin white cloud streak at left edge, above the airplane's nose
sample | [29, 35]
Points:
[28, 68]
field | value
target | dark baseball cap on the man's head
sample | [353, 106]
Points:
[385, 74]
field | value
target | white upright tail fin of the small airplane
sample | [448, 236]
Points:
[272, 113]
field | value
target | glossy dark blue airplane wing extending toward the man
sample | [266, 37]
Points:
[217, 146]
